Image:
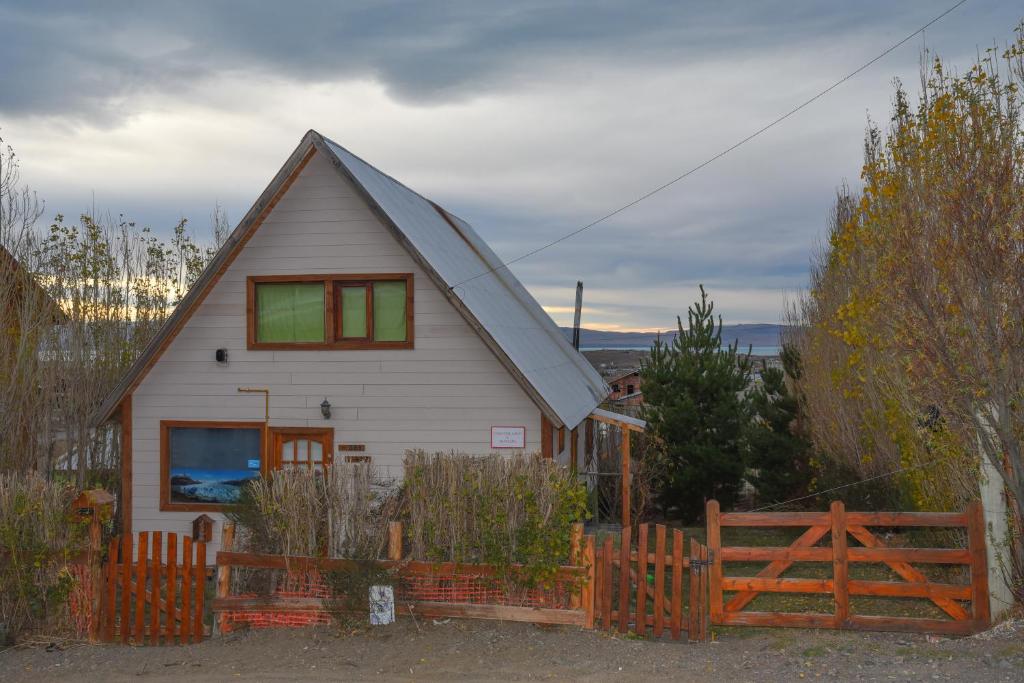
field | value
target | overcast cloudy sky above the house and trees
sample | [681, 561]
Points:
[528, 119]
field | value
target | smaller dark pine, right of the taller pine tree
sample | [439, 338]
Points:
[780, 456]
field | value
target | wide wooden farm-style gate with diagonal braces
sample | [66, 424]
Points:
[965, 605]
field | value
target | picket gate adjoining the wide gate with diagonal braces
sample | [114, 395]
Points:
[637, 589]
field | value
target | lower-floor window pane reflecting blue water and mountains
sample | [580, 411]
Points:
[208, 465]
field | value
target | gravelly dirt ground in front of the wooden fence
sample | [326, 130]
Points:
[488, 651]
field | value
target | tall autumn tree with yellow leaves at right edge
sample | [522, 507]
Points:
[914, 328]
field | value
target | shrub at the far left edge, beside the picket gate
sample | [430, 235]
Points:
[38, 540]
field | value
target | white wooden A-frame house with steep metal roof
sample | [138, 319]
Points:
[337, 322]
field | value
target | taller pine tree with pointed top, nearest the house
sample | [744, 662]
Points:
[696, 407]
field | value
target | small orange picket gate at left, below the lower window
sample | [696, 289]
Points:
[150, 601]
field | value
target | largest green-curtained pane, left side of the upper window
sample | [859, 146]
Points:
[290, 312]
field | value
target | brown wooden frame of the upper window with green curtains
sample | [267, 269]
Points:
[332, 313]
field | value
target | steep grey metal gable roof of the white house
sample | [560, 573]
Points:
[497, 306]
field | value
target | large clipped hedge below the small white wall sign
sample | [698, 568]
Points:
[494, 510]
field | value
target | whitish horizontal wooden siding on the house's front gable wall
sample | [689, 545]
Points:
[445, 395]
